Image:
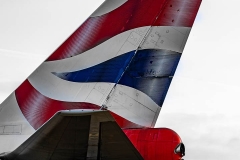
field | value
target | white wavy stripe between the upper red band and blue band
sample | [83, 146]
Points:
[161, 37]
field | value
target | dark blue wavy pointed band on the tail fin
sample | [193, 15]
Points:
[150, 71]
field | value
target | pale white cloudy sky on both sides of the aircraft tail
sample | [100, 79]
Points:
[203, 102]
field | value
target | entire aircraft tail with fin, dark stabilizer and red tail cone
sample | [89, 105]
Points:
[113, 72]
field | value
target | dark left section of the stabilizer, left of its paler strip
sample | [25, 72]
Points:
[63, 137]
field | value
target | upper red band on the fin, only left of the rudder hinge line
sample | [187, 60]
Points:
[96, 30]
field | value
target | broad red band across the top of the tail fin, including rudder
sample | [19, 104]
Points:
[130, 15]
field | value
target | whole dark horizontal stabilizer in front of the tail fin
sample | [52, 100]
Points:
[77, 134]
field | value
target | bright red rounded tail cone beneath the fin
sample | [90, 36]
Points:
[156, 143]
